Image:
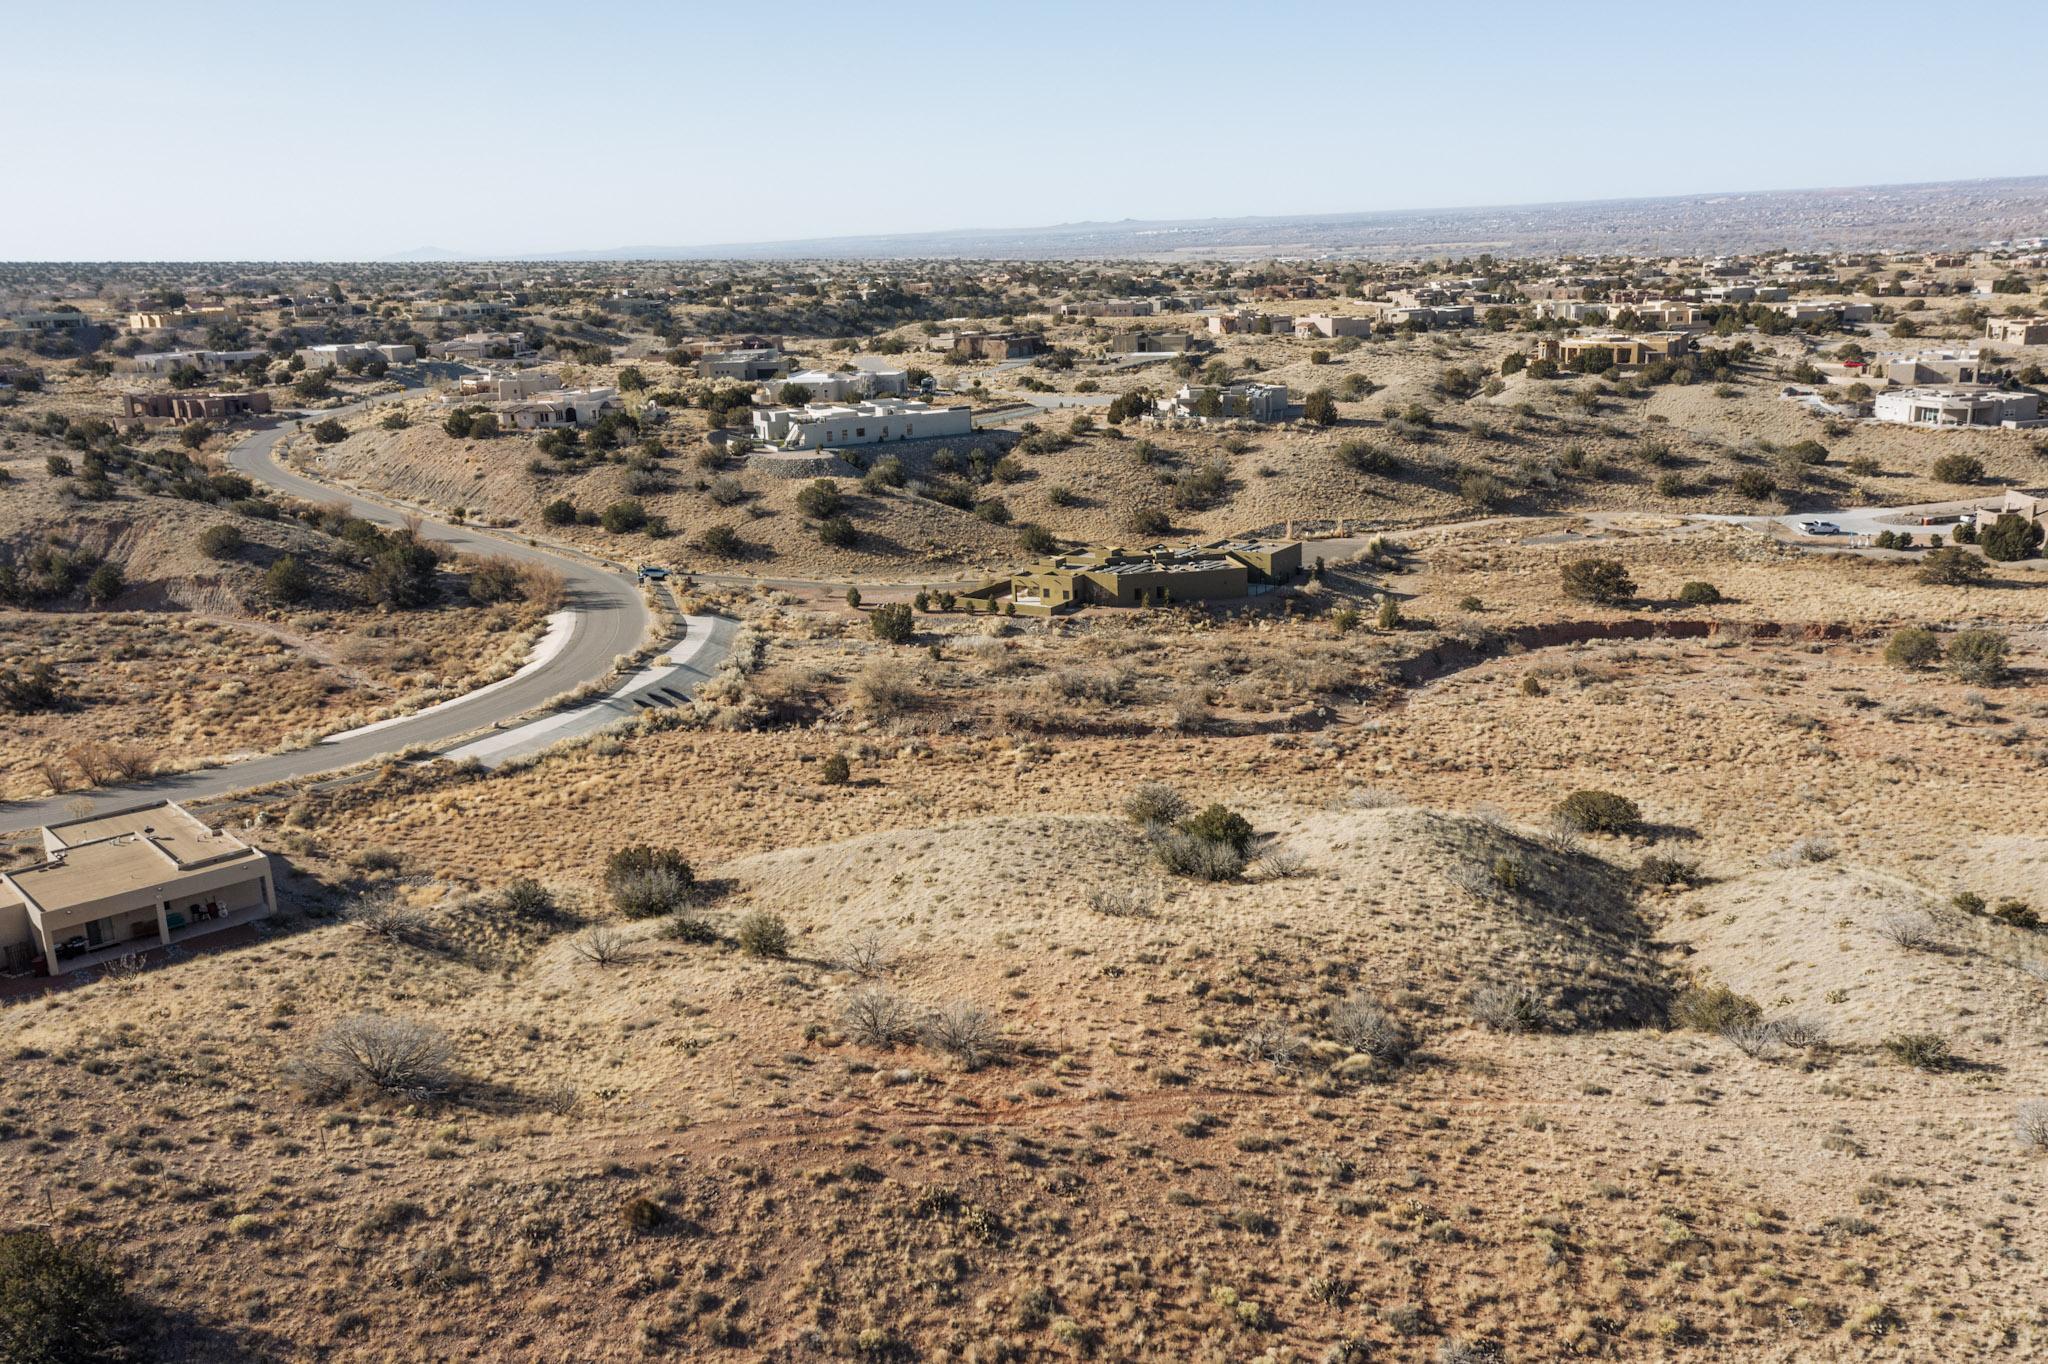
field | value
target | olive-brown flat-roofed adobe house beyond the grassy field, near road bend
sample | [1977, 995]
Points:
[1160, 577]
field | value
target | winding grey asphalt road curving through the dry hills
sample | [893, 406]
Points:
[609, 620]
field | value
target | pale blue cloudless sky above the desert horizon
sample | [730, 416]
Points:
[361, 130]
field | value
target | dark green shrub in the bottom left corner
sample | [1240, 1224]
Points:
[62, 1304]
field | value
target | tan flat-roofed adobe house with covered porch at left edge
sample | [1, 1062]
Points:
[128, 882]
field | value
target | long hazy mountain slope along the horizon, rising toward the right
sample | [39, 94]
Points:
[1889, 216]
